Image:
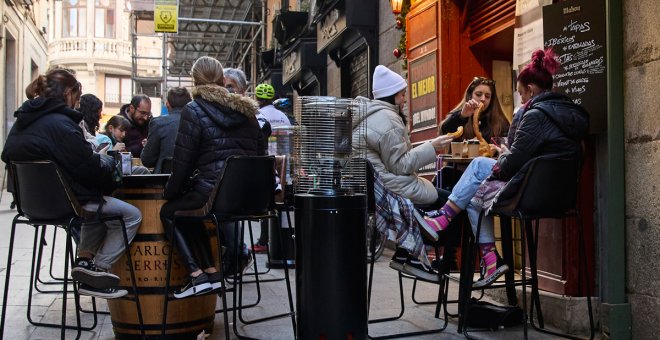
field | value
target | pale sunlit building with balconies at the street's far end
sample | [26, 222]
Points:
[98, 40]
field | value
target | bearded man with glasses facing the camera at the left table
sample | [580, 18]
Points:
[139, 114]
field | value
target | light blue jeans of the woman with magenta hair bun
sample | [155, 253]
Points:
[478, 170]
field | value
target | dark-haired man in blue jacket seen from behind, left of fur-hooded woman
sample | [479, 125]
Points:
[162, 131]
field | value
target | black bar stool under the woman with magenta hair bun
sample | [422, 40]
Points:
[549, 190]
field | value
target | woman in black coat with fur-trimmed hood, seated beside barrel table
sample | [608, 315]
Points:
[214, 126]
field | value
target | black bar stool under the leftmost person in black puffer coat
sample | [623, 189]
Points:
[43, 198]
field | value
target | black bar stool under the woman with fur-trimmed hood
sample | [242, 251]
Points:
[243, 192]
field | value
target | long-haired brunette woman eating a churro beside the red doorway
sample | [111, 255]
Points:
[492, 121]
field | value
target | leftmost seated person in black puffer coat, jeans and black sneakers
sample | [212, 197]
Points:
[47, 128]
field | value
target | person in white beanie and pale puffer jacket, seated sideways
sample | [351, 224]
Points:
[395, 160]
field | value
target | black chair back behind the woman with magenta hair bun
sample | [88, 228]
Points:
[549, 188]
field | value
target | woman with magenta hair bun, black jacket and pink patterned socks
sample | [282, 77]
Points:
[550, 125]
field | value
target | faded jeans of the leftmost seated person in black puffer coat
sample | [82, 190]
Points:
[106, 240]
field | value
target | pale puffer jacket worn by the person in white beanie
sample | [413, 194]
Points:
[391, 153]
